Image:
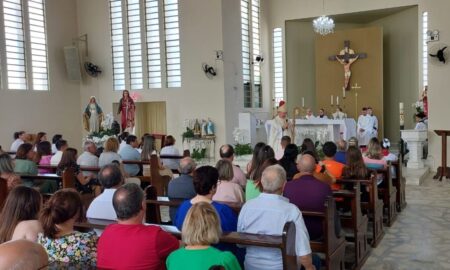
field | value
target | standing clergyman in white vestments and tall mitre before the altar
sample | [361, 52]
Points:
[278, 127]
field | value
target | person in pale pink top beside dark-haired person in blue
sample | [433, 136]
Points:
[226, 190]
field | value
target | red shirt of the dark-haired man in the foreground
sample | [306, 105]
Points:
[134, 247]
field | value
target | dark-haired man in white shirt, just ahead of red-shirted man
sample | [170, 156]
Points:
[111, 178]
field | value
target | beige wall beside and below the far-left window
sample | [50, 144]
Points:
[54, 111]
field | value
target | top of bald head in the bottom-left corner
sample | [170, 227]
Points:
[22, 254]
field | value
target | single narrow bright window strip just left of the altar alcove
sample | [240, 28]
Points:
[278, 84]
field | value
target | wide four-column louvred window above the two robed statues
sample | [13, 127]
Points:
[145, 42]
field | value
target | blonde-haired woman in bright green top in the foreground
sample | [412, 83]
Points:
[201, 228]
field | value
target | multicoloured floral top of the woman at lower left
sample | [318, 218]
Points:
[73, 248]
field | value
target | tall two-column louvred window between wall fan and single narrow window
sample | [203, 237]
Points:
[251, 48]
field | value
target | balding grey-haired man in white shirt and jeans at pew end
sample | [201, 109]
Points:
[267, 214]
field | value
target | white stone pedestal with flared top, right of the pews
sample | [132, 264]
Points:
[415, 140]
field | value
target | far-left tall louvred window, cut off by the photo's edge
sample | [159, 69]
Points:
[24, 32]
